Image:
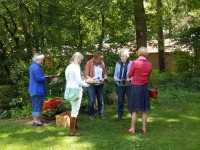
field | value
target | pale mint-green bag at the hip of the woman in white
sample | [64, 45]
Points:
[72, 94]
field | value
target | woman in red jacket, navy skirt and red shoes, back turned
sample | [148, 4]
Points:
[140, 101]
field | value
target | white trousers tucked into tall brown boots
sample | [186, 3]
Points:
[75, 106]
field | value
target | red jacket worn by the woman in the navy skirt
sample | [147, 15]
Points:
[140, 71]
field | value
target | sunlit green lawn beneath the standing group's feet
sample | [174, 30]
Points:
[170, 127]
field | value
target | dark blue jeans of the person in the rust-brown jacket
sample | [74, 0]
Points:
[93, 92]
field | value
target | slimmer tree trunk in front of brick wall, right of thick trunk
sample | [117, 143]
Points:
[161, 47]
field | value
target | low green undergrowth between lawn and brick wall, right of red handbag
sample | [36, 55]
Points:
[174, 88]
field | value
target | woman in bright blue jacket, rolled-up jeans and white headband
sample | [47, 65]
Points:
[37, 88]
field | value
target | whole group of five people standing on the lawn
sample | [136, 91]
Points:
[131, 78]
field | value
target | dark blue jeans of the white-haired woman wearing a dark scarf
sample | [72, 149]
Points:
[121, 92]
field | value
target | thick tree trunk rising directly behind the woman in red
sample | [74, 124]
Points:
[140, 24]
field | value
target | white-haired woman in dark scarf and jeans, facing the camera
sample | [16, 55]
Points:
[122, 81]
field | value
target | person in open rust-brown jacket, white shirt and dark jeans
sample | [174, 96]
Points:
[95, 68]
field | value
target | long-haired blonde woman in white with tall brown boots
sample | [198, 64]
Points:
[73, 76]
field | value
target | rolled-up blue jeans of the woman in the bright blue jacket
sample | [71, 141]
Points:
[37, 103]
